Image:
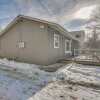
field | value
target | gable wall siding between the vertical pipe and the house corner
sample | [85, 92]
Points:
[35, 40]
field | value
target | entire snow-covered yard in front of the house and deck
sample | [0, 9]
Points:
[21, 81]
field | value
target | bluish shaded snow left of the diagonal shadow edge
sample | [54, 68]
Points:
[19, 81]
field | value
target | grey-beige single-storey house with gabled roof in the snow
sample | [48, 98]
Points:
[33, 40]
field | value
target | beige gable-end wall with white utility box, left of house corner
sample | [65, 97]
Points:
[35, 39]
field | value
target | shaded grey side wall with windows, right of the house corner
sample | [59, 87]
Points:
[55, 54]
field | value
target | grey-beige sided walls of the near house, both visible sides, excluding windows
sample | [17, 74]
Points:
[39, 43]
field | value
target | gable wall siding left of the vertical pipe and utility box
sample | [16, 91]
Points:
[8, 43]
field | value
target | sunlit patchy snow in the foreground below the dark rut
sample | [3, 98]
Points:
[59, 91]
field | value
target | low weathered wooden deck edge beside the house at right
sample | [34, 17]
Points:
[84, 62]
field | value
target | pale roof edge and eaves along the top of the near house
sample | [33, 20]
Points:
[52, 24]
